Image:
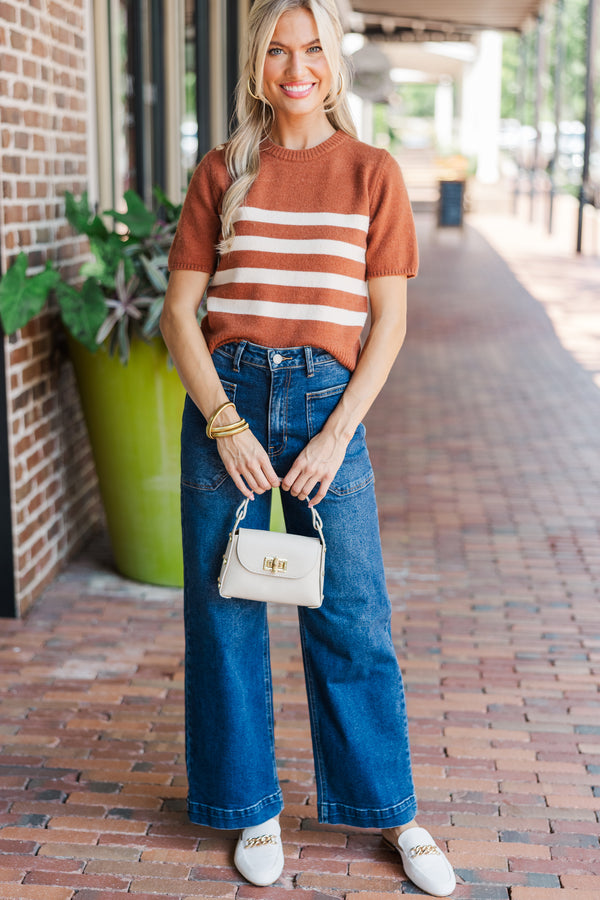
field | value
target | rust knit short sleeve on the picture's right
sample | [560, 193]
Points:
[391, 241]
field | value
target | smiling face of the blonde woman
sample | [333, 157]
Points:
[296, 74]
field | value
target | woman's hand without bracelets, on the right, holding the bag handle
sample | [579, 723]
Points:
[316, 464]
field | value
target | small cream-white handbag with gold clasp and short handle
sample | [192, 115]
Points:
[273, 567]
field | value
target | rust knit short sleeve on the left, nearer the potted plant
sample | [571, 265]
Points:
[199, 228]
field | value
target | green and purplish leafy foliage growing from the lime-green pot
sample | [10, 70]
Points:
[122, 287]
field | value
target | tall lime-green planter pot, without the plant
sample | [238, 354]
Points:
[133, 415]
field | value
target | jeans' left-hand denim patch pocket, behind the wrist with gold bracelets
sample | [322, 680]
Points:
[201, 466]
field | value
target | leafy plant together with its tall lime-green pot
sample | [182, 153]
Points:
[131, 397]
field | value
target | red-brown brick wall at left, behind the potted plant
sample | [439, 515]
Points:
[43, 151]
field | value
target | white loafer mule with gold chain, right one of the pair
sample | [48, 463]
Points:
[424, 863]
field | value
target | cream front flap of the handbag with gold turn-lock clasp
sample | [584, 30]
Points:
[279, 554]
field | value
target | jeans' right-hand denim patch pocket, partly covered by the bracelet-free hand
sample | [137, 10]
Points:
[356, 471]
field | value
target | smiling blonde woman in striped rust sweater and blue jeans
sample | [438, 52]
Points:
[292, 225]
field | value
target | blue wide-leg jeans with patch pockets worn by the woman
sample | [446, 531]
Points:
[354, 686]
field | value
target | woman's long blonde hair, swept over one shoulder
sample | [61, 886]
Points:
[255, 115]
